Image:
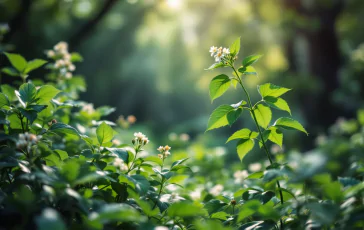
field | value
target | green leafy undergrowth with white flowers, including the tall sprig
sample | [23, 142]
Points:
[62, 167]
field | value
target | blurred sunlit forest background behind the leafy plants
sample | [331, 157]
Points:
[147, 57]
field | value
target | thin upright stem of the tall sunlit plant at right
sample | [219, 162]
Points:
[260, 132]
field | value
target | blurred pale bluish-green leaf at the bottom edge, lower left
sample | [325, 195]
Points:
[50, 219]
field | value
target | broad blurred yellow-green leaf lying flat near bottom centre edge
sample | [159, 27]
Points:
[185, 209]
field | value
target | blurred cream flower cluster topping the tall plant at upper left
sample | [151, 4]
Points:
[62, 59]
